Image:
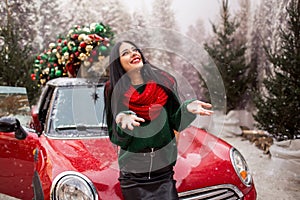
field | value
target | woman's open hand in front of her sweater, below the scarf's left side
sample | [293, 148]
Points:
[128, 120]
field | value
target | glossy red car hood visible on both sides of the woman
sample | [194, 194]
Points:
[203, 161]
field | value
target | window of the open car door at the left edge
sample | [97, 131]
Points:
[14, 102]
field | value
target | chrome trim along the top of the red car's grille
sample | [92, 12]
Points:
[207, 189]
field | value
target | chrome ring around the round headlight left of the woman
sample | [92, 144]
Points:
[73, 173]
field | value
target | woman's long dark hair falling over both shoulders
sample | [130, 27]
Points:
[119, 82]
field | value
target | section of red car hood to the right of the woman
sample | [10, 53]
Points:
[204, 160]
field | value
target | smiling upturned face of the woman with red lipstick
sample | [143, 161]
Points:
[130, 57]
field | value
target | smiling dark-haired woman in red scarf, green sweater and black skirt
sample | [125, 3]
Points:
[143, 110]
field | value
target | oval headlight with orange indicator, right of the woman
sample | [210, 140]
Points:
[240, 166]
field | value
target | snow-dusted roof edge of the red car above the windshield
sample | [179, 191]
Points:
[66, 81]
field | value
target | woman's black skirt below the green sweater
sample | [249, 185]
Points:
[156, 185]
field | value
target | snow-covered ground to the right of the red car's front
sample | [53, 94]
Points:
[272, 180]
